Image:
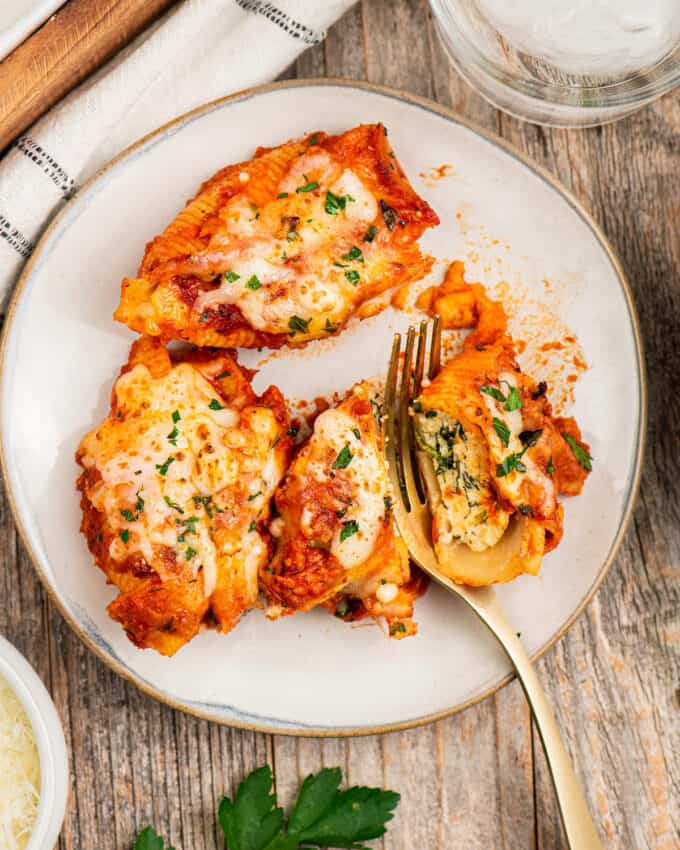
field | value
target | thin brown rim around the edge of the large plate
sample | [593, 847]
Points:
[445, 112]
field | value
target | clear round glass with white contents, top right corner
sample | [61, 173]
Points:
[570, 63]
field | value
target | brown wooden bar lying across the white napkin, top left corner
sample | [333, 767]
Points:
[72, 44]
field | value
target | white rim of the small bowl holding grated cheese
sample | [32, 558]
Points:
[49, 737]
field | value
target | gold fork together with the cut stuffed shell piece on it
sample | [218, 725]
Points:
[476, 485]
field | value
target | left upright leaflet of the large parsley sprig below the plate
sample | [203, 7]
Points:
[253, 820]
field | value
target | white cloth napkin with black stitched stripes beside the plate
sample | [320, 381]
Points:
[199, 51]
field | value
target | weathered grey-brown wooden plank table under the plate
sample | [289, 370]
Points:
[477, 780]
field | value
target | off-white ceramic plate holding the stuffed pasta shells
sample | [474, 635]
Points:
[312, 674]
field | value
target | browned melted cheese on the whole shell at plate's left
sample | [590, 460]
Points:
[172, 464]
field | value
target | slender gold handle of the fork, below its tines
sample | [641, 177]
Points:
[578, 823]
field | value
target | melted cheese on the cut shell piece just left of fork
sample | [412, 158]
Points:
[368, 480]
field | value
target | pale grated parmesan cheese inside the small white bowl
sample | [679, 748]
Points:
[19, 772]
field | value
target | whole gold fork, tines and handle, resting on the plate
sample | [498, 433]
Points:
[414, 521]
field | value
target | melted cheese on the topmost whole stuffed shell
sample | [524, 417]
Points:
[286, 271]
